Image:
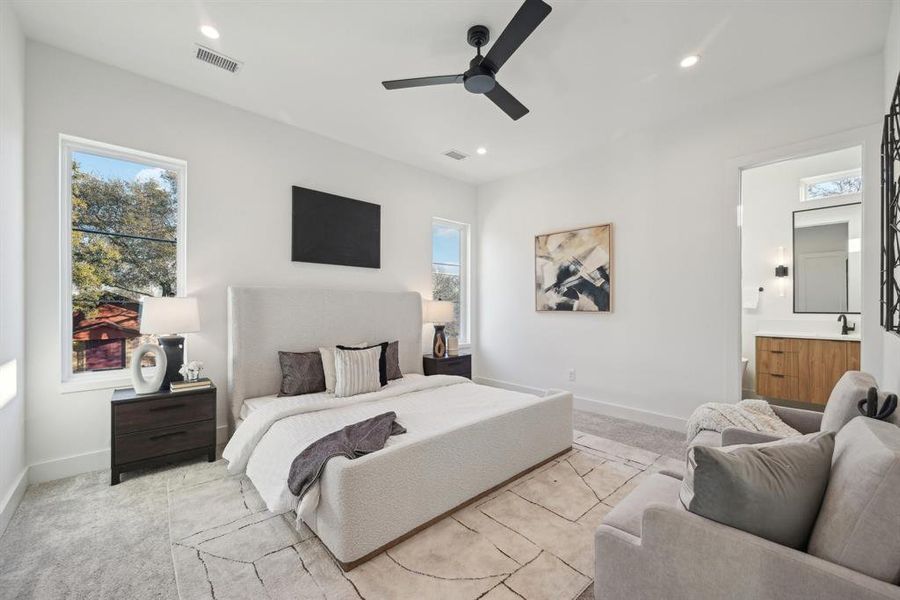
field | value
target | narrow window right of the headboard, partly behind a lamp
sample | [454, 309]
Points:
[450, 272]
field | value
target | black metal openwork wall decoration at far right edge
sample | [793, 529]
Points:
[890, 216]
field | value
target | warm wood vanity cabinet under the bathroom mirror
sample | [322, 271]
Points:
[803, 370]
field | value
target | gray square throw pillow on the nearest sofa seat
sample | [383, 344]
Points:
[772, 490]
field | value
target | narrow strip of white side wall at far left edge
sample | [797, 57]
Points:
[12, 274]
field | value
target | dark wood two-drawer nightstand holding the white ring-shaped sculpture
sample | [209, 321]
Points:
[160, 428]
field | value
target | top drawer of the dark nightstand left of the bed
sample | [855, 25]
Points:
[175, 410]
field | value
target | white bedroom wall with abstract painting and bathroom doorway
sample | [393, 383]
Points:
[672, 340]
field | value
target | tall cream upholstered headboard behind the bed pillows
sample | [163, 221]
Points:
[264, 320]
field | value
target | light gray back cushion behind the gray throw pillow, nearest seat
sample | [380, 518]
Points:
[859, 523]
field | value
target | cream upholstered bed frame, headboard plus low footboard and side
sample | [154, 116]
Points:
[375, 501]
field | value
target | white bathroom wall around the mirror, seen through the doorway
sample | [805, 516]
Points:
[769, 196]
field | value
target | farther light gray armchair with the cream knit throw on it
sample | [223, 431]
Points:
[840, 409]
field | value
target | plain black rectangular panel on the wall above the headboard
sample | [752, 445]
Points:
[334, 230]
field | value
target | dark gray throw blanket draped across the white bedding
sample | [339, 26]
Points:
[352, 441]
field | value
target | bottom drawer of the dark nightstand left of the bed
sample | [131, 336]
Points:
[168, 440]
